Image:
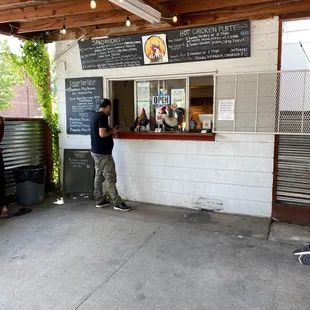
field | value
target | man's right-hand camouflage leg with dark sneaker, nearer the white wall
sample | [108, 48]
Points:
[110, 180]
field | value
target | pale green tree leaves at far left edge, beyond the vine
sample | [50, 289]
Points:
[10, 75]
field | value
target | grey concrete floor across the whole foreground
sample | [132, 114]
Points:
[74, 256]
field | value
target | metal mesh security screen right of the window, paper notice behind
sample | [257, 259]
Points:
[271, 102]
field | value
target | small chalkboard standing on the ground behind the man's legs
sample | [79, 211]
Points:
[79, 172]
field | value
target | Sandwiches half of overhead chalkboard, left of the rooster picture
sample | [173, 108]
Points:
[117, 52]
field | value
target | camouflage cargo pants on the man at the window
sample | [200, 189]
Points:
[105, 177]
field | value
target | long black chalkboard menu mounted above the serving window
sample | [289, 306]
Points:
[213, 42]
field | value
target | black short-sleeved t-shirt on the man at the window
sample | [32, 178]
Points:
[100, 145]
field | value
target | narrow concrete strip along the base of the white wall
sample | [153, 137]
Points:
[234, 224]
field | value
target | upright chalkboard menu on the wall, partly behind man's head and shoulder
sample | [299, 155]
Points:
[82, 100]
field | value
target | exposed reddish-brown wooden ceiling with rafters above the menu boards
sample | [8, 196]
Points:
[32, 18]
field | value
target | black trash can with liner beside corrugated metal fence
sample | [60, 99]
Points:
[30, 184]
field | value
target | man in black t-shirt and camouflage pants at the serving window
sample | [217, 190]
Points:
[101, 149]
